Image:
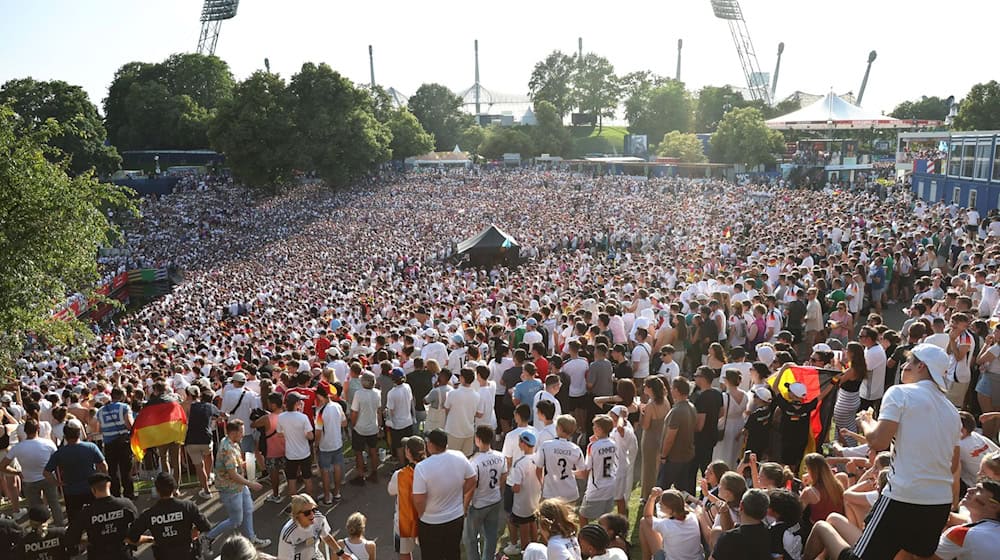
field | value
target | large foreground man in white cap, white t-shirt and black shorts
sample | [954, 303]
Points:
[923, 429]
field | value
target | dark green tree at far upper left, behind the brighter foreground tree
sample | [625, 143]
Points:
[82, 136]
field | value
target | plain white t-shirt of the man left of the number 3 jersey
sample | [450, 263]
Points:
[435, 477]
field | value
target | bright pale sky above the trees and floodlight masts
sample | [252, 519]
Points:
[826, 43]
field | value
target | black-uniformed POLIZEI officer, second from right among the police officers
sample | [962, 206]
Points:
[106, 521]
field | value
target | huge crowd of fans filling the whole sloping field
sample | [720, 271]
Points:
[637, 351]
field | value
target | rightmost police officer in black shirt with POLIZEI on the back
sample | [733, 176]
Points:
[172, 523]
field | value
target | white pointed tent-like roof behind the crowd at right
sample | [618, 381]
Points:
[832, 112]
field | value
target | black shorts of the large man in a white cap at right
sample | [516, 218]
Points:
[892, 526]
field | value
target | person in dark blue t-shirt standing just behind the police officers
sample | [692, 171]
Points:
[77, 460]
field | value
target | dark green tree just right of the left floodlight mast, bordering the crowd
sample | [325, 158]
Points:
[255, 129]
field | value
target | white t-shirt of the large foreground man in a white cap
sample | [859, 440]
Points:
[924, 444]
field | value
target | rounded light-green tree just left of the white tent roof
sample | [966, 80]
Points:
[742, 137]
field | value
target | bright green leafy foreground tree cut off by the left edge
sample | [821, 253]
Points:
[51, 226]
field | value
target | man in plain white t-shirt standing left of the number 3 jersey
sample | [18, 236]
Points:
[440, 483]
